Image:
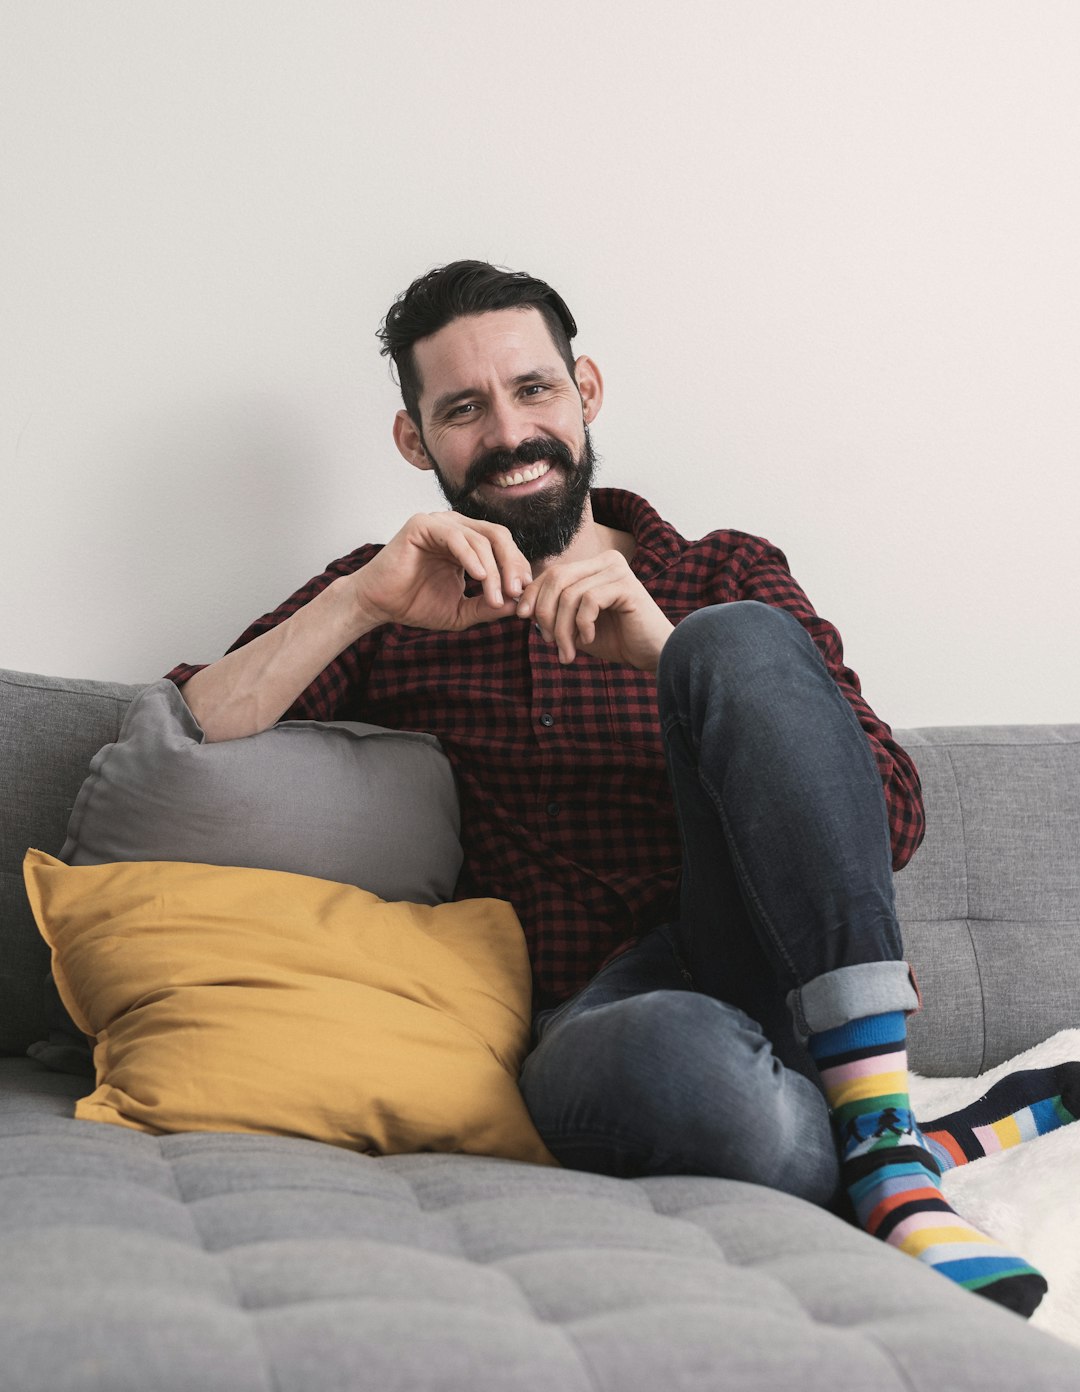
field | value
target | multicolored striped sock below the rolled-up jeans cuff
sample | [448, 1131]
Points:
[891, 1178]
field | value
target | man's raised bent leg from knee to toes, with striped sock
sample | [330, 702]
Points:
[775, 777]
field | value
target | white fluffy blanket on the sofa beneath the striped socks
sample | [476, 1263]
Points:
[1028, 1198]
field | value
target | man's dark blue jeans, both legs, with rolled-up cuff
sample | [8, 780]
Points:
[687, 1054]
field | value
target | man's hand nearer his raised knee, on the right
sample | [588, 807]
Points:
[599, 608]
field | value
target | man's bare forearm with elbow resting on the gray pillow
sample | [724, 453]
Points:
[254, 686]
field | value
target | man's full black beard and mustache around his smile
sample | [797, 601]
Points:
[543, 524]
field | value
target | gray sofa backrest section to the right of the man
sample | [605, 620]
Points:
[990, 905]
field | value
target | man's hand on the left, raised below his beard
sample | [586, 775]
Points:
[418, 578]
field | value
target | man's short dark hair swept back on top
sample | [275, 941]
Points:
[461, 289]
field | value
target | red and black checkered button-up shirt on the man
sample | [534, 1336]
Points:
[566, 804]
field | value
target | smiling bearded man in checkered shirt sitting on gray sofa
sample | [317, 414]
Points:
[666, 768]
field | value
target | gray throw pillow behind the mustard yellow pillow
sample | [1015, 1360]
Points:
[340, 801]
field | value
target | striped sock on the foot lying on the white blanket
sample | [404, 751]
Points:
[1018, 1109]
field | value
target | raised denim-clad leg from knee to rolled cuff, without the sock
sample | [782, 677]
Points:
[781, 811]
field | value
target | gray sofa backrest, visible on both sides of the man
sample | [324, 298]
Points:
[990, 907]
